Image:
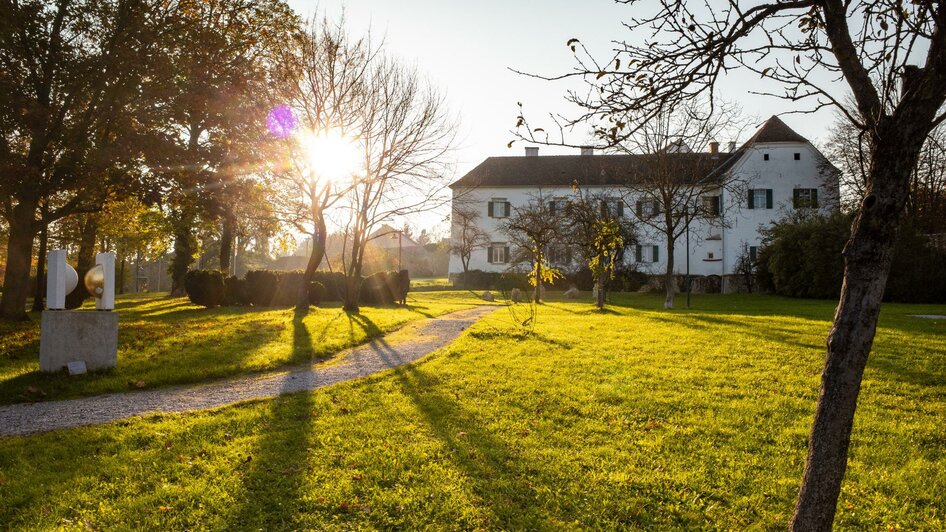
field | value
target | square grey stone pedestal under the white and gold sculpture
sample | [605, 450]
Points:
[73, 335]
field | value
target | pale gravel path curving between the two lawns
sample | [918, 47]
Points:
[400, 347]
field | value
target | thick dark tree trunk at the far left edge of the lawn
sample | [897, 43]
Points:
[19, 255]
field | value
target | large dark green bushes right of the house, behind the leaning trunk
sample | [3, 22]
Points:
[801, 257]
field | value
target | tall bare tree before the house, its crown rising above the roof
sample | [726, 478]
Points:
[676, 184]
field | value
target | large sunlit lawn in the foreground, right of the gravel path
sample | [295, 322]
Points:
[629, 418]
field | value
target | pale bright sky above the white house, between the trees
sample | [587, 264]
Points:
[467, 48]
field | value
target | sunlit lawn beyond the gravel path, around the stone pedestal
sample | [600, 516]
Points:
[170, 341]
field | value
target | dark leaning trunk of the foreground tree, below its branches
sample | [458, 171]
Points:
[867, 256]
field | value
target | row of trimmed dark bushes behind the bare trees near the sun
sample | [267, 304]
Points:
[267, 288]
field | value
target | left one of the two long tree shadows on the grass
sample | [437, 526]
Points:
[273, 476]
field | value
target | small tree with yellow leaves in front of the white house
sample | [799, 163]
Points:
[595, 224]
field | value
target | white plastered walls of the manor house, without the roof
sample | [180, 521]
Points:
[781, 173]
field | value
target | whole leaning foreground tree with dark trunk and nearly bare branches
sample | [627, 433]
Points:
[890, 56]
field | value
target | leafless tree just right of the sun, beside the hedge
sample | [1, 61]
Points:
[405, 135]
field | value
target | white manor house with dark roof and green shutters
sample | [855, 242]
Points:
[781, 171]
